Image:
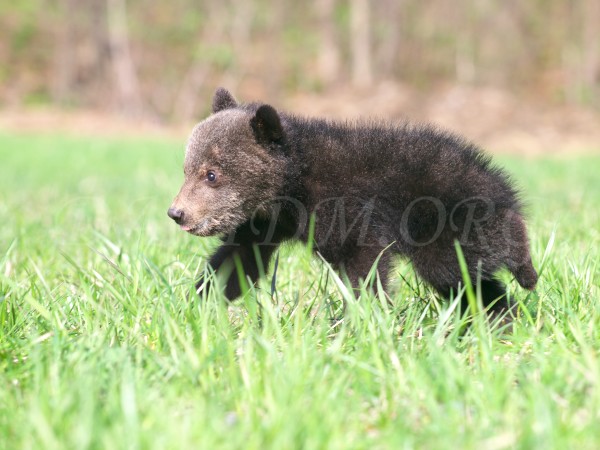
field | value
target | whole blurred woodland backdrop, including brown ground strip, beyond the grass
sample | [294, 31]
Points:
[513, 75]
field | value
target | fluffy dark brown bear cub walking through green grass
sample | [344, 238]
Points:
[257, 176]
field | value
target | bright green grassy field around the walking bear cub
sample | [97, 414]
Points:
[102, 348]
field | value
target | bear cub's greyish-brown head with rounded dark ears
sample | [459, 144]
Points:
[234, 164]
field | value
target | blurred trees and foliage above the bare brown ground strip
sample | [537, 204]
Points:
[70, 52]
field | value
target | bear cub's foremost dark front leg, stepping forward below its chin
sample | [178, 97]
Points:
[253, 251]
